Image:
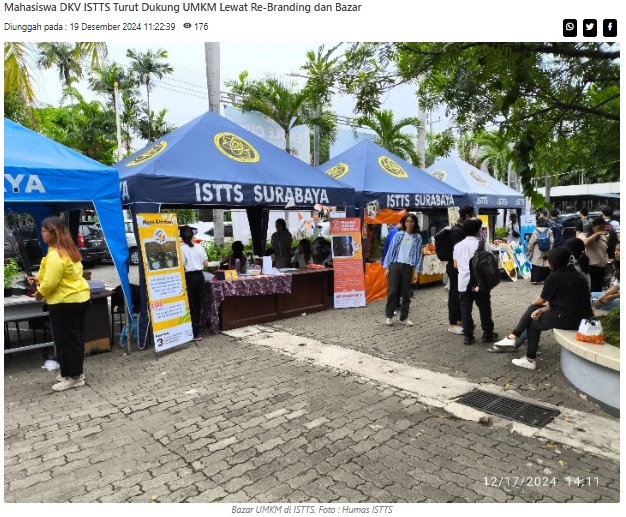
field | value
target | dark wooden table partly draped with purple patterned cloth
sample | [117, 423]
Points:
[251, 300]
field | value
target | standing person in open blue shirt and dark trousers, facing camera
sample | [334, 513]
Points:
[405, 253]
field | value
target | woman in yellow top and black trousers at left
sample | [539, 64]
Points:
[61, 283]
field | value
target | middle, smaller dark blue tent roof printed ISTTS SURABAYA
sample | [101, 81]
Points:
[378, 175]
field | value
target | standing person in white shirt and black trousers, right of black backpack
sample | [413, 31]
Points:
[470, 291]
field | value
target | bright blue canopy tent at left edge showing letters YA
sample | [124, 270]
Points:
[44, 177]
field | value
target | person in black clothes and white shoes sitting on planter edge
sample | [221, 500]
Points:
[562, 304]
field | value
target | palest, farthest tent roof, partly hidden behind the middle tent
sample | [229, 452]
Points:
[484, 190]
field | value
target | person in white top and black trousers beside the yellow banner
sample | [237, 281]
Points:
[194, 260]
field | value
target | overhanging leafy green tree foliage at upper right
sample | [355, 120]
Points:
[539, 95]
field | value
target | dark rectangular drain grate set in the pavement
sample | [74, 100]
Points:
[529, 414]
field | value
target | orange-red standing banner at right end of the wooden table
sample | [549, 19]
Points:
[347, 253]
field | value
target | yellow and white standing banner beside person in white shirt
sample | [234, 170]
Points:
[165, 280]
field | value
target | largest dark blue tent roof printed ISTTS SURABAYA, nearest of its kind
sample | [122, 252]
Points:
[213, 161]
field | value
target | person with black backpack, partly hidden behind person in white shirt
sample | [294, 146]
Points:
[445, 241]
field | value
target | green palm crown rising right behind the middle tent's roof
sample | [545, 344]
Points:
[389, 134]
